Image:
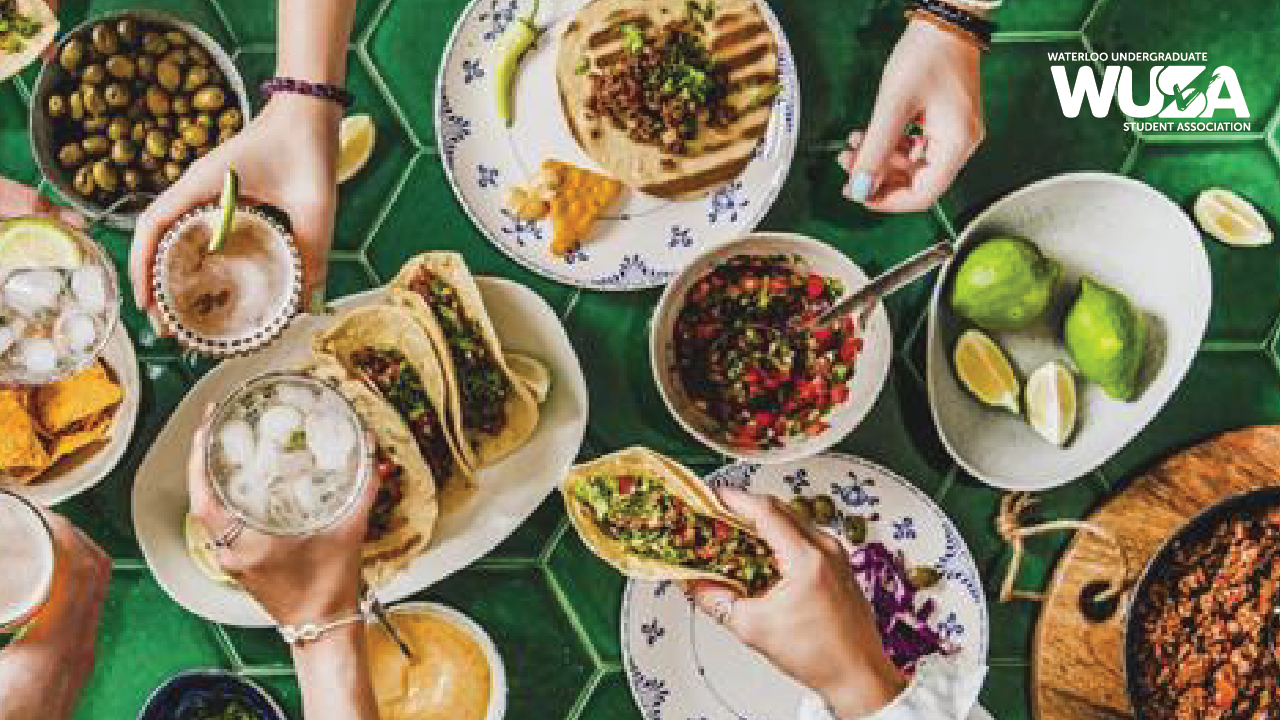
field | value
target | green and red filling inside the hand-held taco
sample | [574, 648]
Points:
[652, 523]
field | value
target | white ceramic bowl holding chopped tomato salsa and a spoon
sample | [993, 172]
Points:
[870, 371]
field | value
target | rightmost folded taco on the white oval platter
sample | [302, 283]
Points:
[492, 411]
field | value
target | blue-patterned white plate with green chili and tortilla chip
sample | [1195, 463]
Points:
[647, 240]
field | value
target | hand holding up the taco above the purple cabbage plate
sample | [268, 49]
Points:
[815, 625]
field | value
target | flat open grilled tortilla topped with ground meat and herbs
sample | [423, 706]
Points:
[670, 97]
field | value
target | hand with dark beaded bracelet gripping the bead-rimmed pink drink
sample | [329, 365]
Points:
[285, 158]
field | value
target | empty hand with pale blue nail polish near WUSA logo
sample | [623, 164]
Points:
[931, 79]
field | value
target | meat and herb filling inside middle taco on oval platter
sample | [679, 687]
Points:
[400, 384]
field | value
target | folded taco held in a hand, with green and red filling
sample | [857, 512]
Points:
[656, 521]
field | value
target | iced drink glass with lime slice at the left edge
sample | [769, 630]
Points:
[60, 302]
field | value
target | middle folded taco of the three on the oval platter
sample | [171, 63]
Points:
[385, 348]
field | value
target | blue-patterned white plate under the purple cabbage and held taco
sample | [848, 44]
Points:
[683, 666]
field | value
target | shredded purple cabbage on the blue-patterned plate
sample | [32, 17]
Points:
[904, 627]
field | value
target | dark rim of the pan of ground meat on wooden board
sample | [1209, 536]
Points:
[1199, 528]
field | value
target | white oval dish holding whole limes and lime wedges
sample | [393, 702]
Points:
[1121, 233]
